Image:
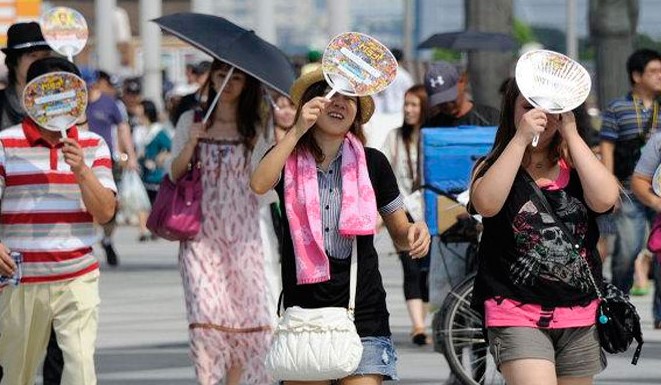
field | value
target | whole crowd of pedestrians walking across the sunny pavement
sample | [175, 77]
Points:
[290, 191]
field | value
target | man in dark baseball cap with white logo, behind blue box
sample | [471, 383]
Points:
[449, 102]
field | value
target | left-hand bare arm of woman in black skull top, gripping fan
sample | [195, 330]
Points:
[490, 191]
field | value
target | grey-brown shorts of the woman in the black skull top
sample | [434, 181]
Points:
[574, 351]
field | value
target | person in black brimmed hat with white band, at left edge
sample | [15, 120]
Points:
[25, 44]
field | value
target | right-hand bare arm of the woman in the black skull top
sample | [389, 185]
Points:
[600, 188]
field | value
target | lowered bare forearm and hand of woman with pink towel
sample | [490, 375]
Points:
[408, 236]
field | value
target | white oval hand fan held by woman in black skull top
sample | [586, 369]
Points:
[552, 82]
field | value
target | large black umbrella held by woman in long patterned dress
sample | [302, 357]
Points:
[233, 45]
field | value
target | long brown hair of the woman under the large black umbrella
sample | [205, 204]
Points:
[250, 104]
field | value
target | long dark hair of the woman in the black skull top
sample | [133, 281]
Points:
[507, 130]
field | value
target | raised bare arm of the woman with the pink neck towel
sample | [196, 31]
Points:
[268, 171]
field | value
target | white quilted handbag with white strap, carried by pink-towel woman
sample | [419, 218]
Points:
[317, 344]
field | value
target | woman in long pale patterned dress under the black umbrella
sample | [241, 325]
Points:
[223, 268]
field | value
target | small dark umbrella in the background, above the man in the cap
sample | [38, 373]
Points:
[470, 41]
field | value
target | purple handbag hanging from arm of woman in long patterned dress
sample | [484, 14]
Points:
[176, 214]
